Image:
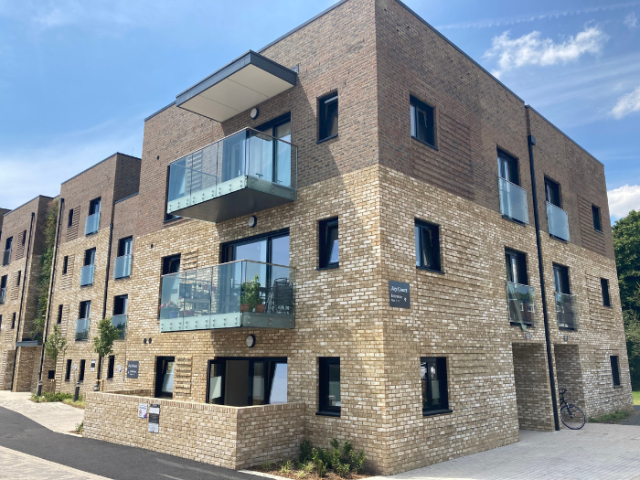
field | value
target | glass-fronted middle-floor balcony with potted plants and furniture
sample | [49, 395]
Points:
[231, 295]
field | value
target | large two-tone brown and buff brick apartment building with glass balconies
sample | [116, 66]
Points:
[356, 233]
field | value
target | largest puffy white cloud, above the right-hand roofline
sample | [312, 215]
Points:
[530, 49]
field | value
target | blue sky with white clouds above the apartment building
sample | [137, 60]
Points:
[78, 78]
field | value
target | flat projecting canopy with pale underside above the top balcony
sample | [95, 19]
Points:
[237, 87]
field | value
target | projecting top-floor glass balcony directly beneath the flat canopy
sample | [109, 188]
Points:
[241, 174]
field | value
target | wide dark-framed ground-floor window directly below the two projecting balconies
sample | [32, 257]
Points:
[242, 382]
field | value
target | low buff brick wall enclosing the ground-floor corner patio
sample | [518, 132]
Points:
[226, 436]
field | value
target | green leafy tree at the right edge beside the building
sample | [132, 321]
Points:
[626, 242]
